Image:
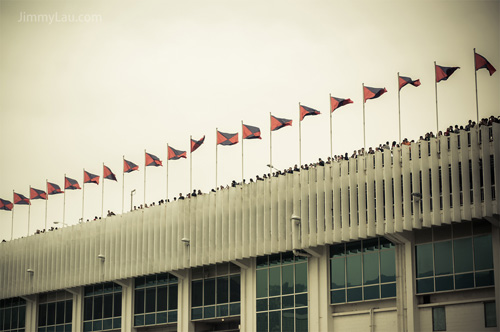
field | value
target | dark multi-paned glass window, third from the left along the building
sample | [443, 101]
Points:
[102, 302]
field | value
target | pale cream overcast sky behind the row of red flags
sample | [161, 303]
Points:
[135, 75]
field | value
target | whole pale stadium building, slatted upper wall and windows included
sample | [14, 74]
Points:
[401, 240]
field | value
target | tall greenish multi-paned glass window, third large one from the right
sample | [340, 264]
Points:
[280, 307]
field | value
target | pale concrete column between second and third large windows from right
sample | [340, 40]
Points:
[318, 286]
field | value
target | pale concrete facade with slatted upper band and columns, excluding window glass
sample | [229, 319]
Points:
[306, 211]
